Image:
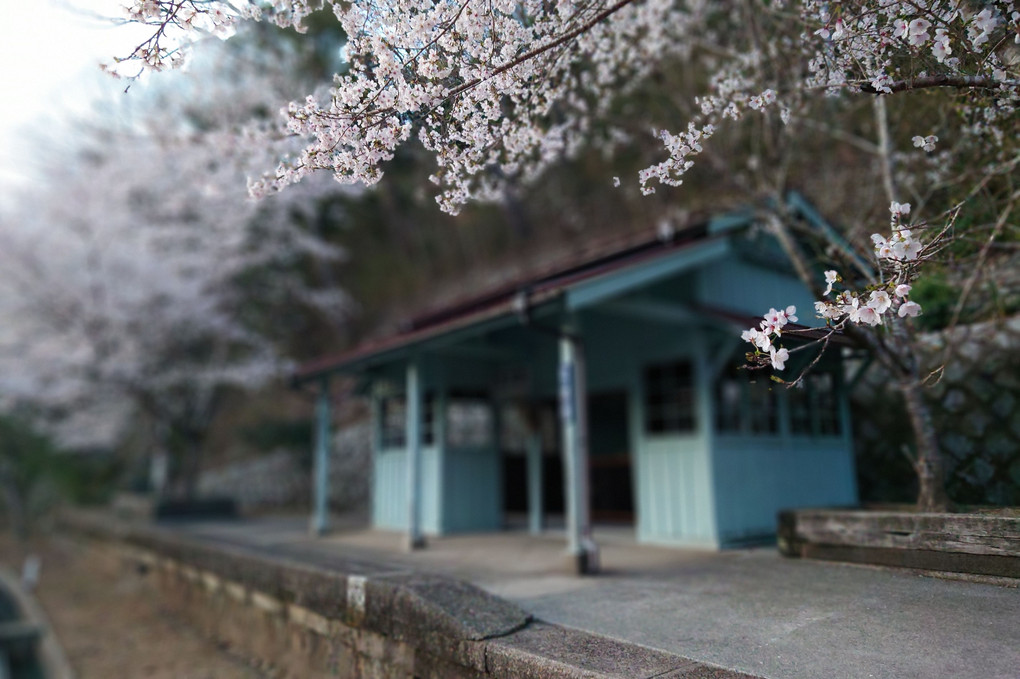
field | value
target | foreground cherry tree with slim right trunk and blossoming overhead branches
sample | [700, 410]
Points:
[500, 90]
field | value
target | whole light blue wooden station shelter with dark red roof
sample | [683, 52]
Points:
[615, 378]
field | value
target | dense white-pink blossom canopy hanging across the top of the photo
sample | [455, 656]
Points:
[499, 90]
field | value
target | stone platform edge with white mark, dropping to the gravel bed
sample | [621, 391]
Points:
[373, 622]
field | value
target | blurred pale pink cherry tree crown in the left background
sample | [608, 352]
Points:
[125, 273]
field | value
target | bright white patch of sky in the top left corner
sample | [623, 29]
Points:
[50, 51]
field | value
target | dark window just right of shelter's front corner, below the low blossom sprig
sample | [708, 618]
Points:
[746, 402]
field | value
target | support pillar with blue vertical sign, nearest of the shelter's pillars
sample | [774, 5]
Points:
[574, 415]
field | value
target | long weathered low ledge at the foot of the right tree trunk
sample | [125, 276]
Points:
[970, 544]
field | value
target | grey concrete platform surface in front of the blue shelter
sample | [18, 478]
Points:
[747, 610]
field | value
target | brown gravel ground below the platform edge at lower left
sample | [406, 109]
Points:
[109, 624]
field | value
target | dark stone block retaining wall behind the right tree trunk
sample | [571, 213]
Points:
[976, 401]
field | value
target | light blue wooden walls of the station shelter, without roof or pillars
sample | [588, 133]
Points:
[691, 489]
